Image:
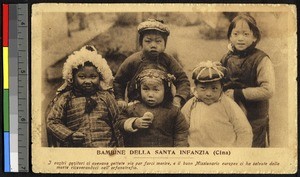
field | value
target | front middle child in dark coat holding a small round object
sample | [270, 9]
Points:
[153, 121]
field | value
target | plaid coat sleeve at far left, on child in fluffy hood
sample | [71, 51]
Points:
[55, 119]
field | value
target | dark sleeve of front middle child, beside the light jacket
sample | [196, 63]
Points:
[180, 131]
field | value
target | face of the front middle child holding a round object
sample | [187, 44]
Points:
[152, 92]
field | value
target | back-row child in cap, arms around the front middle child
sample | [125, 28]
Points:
[153, 36]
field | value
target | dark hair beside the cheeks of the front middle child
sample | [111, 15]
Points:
[168, 96]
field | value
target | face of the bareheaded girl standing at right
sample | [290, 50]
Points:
[241, 36]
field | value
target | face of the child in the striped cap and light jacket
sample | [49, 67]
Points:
[209, 92]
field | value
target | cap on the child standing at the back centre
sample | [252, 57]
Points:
[153, 24]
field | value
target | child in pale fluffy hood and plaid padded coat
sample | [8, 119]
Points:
[83, 113]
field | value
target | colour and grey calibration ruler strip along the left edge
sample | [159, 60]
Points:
[15, 91]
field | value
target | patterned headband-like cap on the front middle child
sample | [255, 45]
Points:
[155, 73]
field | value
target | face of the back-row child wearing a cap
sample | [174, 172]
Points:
[153, 44]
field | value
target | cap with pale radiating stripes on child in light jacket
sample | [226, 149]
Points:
[209, 71]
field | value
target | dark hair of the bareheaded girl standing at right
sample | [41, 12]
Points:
[250, 21]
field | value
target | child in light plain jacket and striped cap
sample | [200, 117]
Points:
[214, 119]
